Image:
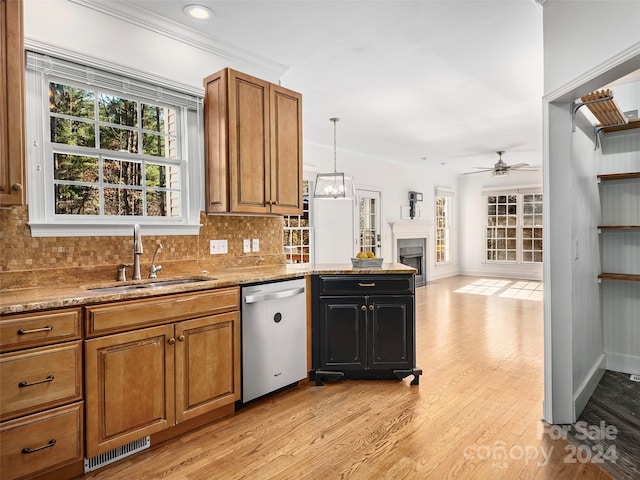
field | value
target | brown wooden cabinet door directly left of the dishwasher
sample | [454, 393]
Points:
[207, 364]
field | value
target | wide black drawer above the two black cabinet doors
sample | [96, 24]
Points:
[366, 285]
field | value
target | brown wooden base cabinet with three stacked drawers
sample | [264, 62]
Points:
[41, 407]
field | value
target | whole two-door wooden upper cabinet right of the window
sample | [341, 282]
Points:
[253, 146]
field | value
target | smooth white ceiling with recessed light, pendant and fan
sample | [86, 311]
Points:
[450, 81]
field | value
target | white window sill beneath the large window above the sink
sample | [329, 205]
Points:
[108, 230]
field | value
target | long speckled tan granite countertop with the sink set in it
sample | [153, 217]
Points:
[56, 296]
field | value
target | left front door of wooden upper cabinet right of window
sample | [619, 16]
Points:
[249, 151]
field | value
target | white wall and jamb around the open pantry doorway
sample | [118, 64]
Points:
[577, 61]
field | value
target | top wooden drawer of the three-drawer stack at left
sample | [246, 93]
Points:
[35, 329]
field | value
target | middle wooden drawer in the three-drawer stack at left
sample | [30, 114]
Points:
[40, 378]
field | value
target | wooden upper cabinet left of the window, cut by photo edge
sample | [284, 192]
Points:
[12, 131]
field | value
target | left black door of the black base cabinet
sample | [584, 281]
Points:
[343, 325]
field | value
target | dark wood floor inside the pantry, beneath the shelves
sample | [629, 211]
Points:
[616, 402]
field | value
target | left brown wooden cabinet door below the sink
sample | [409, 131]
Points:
[129, 387]
